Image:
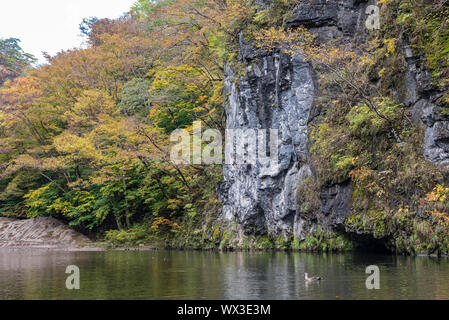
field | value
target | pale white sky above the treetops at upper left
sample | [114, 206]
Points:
[53, 25]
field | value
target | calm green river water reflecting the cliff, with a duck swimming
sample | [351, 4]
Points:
[208, 275]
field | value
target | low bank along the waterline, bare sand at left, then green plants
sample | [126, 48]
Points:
[53, 235]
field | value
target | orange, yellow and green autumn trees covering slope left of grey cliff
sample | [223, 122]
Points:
[85, 137]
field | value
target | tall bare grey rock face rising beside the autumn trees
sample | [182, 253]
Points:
[277, 93]
